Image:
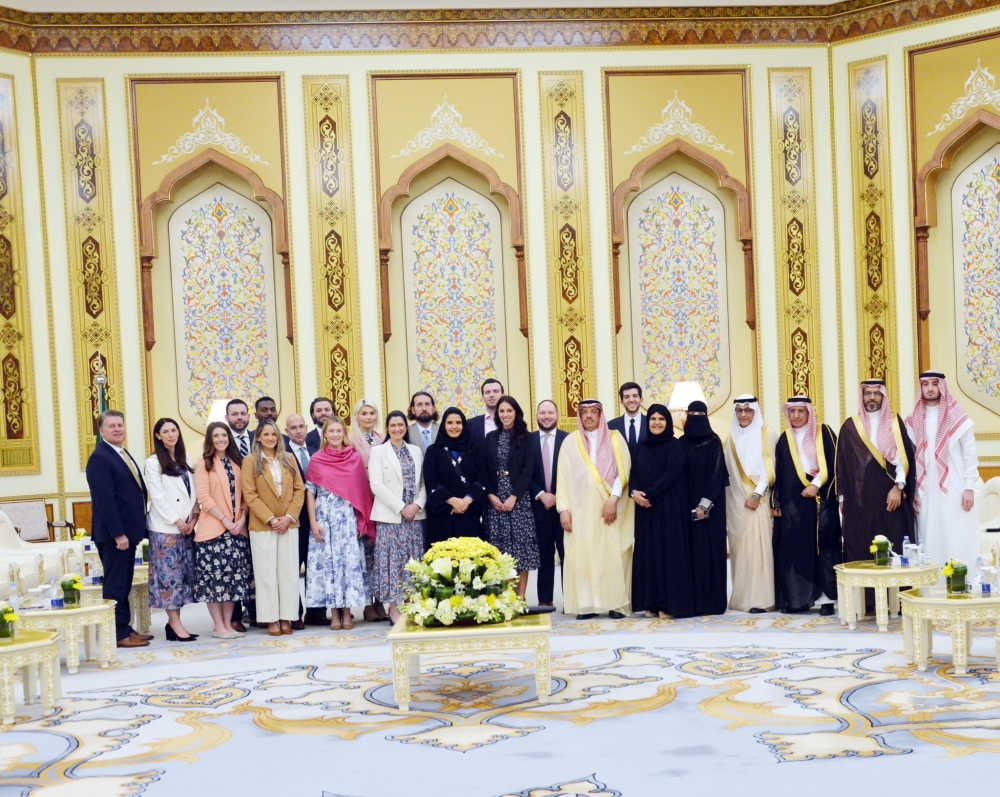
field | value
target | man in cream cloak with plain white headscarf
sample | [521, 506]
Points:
[749, 455]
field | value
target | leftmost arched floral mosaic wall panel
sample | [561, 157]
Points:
[225, 304]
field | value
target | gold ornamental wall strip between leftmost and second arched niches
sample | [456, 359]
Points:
[331, 214]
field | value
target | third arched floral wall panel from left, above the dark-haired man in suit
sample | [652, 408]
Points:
[680, 293]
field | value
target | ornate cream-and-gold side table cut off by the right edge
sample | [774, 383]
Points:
[921, 607]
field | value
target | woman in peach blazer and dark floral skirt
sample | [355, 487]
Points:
[222, 552]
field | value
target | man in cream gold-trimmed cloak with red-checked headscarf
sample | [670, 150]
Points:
[596, 515]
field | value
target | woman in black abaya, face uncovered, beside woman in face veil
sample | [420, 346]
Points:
[661, 570]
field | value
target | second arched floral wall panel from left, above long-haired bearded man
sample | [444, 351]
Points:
[454, 300]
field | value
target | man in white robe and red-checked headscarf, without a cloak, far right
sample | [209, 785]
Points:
[947, 469]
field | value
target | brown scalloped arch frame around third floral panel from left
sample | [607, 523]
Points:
[724, 180]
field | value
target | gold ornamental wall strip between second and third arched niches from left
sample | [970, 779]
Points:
[568, 241]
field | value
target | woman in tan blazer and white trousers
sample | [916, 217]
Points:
[274, 492]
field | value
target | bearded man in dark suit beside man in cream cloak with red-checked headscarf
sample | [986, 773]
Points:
[547, 441]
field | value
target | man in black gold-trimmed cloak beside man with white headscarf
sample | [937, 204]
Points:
[806, 514]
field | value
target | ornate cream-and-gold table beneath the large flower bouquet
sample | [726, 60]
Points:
[409, 641]
